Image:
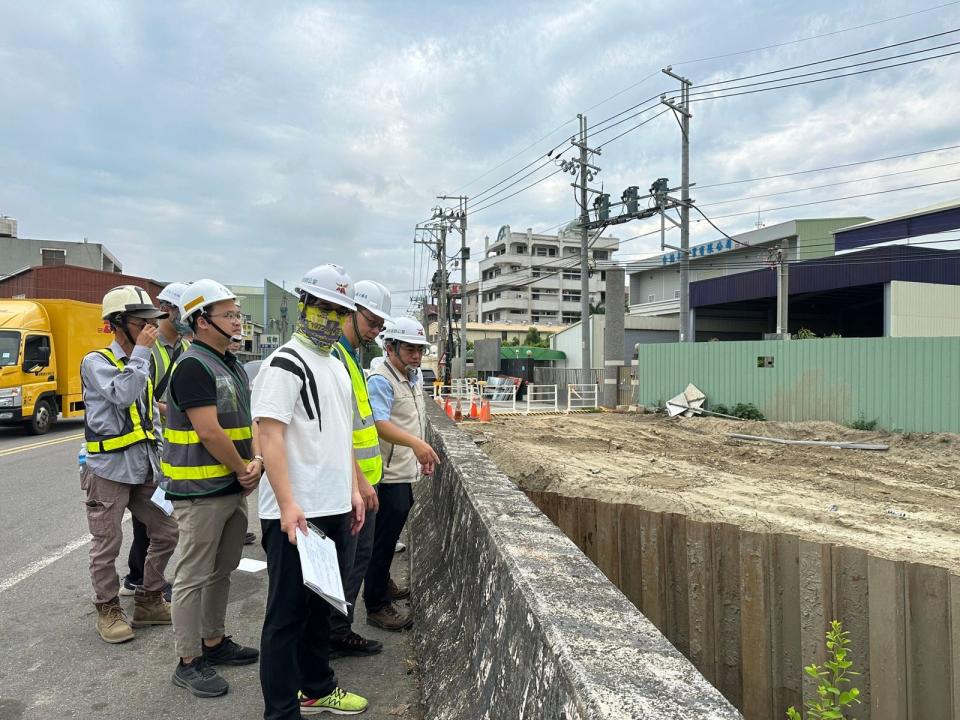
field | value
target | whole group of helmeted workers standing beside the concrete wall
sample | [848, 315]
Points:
[172, 421]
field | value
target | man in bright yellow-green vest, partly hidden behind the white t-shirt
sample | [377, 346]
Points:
[361, 329]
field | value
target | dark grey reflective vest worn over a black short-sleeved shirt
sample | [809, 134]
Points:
[188, 468]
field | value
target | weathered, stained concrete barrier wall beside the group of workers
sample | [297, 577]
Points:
[514, 621]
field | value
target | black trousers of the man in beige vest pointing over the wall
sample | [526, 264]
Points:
[396, 499]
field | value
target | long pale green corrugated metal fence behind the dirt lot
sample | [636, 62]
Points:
[909, 384]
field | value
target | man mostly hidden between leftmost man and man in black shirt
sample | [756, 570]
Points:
[170, 344]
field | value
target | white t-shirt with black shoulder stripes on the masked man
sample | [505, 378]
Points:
[319, 448]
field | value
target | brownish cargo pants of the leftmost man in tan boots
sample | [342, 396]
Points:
[105, 502]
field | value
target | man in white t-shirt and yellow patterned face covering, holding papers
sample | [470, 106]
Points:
[303, 402]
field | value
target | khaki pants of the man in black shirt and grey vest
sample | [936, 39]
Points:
[211, 544]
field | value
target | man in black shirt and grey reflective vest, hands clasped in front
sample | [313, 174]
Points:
[211, 461]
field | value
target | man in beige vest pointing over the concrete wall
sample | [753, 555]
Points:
[396, 396]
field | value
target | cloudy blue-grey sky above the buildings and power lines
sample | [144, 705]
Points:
[244, 140]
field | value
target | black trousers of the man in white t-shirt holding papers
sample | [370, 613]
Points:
[295, 643]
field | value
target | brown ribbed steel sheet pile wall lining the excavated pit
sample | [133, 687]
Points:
[751, 609]
